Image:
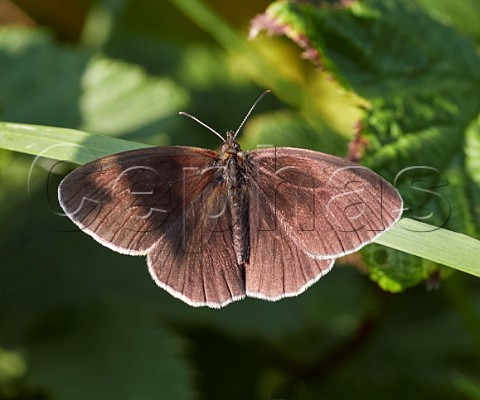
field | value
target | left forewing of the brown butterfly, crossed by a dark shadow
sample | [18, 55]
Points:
[125, 201]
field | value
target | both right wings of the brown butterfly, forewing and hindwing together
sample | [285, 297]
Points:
[306, 209]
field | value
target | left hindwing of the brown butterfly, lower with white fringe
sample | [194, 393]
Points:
[202, 268]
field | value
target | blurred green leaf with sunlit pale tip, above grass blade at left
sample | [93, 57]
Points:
[50, 85]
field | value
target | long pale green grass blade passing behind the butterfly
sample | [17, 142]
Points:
[439, 245]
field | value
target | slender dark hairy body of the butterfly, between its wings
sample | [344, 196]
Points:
[234, 175]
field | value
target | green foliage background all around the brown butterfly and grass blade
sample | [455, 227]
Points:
[391, 84]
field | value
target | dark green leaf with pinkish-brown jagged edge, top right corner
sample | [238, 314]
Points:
[383, 49]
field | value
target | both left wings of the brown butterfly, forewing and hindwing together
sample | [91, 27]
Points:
[168, 203]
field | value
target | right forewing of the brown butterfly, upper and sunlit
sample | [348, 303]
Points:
[326, 205]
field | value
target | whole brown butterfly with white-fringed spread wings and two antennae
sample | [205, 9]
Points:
[216, 227]
